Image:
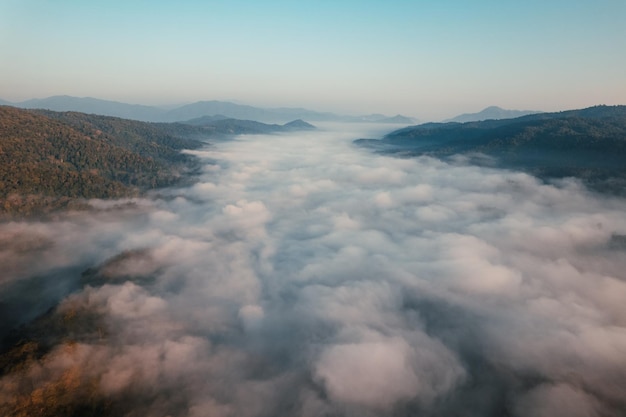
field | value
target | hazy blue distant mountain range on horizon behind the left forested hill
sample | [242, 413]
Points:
[196, 110]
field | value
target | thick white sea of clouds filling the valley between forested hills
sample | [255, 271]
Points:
[304, 276]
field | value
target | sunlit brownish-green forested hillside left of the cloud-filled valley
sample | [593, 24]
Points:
[50, 160]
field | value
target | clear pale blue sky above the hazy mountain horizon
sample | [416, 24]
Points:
[428, 59]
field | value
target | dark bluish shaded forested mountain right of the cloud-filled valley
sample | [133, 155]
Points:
[589, 144]
